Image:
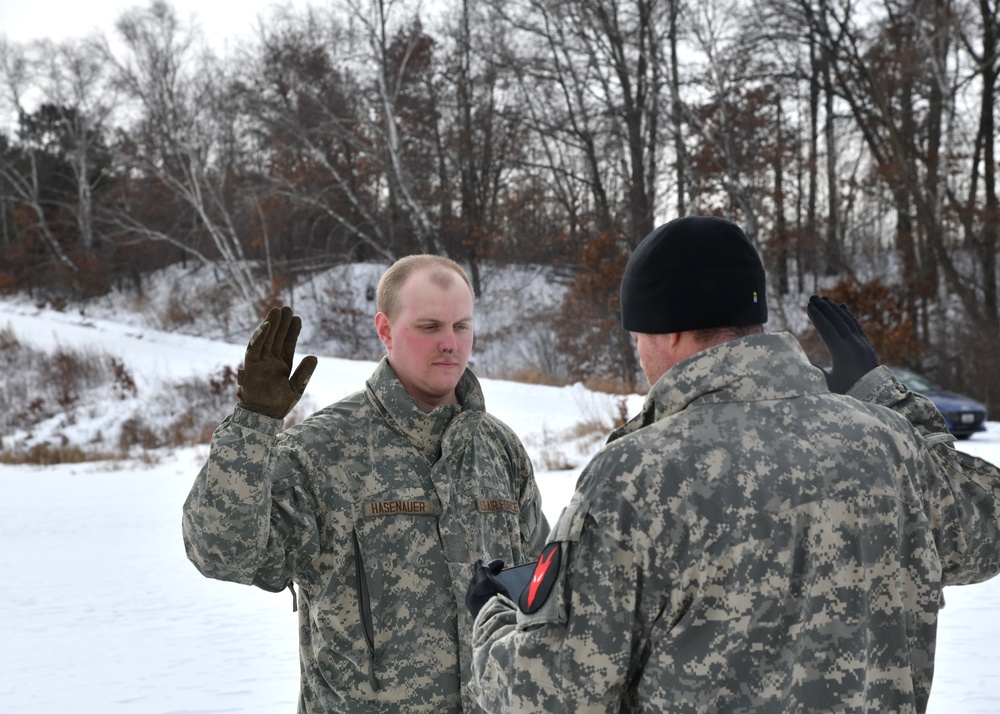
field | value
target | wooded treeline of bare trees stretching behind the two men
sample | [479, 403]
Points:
[844, 137]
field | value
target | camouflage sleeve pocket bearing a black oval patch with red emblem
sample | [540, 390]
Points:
[547, 597]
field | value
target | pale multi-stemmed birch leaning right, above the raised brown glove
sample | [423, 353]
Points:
[182, 139]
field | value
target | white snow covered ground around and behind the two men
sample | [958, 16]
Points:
[100, 611]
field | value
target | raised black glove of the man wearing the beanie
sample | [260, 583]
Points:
[852, 354]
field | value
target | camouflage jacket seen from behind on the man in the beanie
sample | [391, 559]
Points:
[749, 543]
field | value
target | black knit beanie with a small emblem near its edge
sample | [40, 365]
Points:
[693, 273]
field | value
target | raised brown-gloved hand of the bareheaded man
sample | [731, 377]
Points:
[266, 382]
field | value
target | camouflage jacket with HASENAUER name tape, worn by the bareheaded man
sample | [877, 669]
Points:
[376, 511]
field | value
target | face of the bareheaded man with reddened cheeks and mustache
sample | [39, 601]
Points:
[429, 341]
